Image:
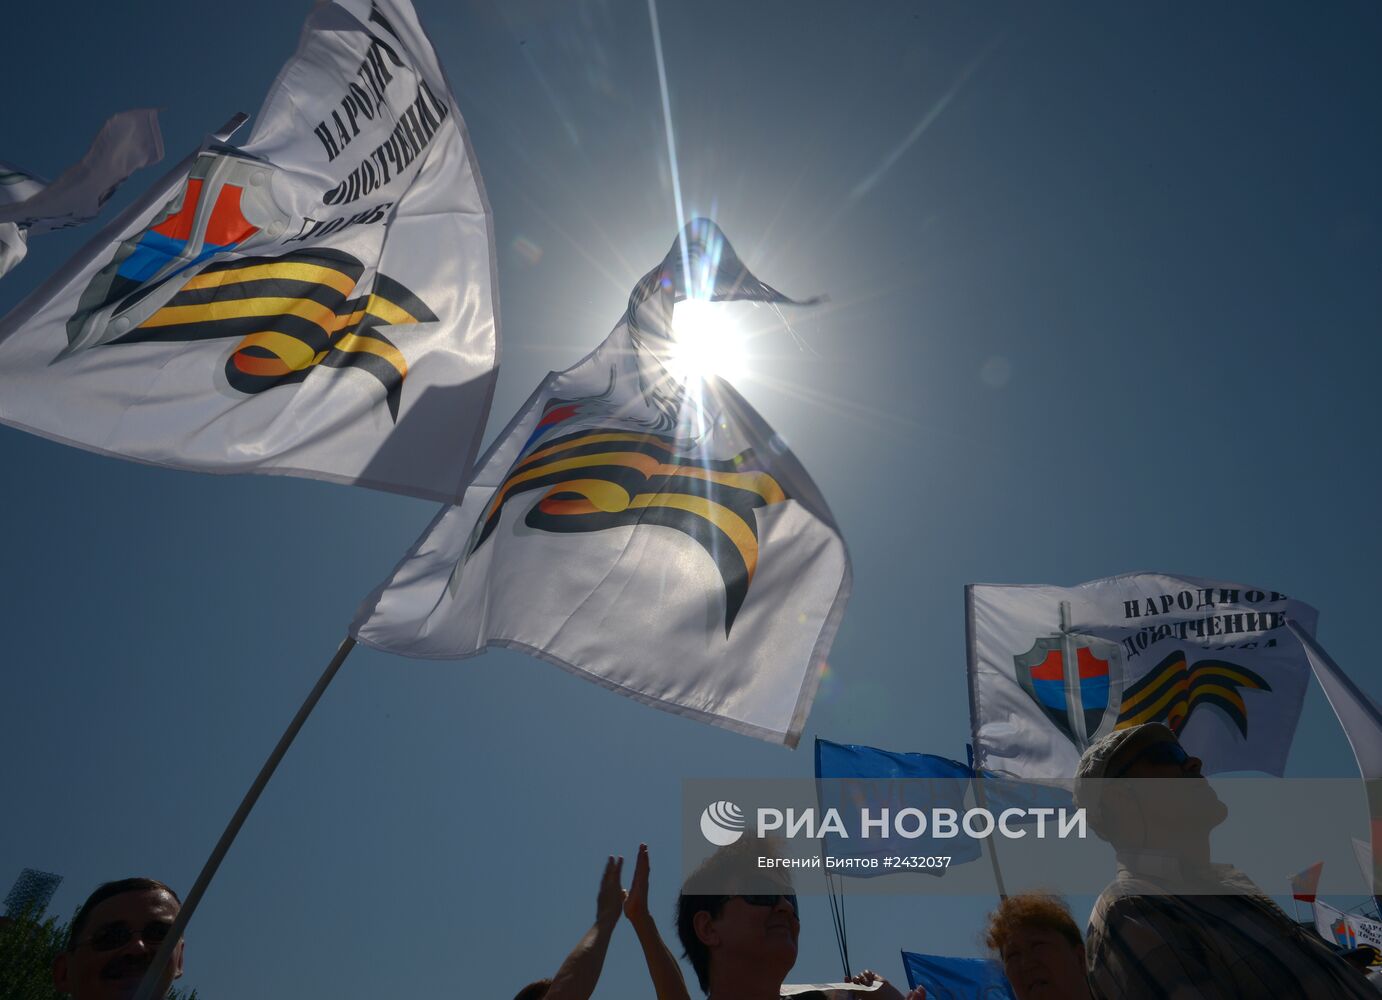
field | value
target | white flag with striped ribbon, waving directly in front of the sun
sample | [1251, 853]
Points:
[652, 535]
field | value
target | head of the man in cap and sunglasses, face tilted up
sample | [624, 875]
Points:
[1180, 807]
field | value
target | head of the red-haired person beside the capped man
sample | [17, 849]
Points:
[1041, 948]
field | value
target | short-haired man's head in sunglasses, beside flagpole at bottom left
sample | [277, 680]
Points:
[114, 939]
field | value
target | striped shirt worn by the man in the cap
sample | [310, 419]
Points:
[1145, 944]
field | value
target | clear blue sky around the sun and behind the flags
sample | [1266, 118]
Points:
[1105, 296]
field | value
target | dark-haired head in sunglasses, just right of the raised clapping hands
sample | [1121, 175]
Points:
[752, 932]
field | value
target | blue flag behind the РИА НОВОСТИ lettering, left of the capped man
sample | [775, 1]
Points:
[853, 778]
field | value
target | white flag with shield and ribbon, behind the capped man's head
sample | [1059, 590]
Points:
[1052, 669]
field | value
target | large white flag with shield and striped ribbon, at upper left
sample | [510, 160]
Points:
[319, 302]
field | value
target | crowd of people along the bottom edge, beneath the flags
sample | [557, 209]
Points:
[1155, 934]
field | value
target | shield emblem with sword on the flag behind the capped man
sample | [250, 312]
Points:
[1080, 684]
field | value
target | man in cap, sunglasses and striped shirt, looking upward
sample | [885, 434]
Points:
[1173, 925]
